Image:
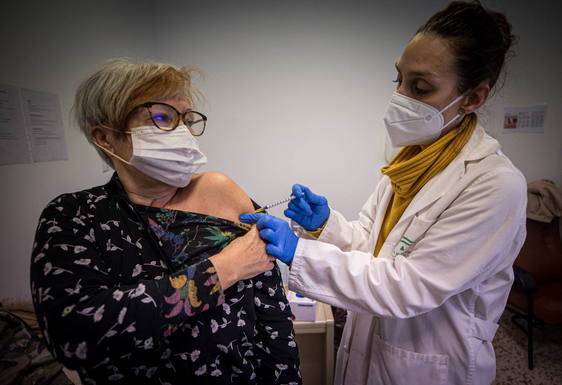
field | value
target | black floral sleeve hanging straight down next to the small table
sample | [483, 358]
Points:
[277, 348]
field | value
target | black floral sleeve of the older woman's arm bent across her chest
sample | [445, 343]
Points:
[87, 315]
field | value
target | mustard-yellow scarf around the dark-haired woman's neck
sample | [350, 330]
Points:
[412, 168]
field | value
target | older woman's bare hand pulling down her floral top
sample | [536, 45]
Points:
[243, 258]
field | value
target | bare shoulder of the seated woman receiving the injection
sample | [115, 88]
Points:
[219, 186]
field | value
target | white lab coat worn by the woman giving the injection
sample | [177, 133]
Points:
[426, 310]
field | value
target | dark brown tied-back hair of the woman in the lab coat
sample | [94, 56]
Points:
[480, 39]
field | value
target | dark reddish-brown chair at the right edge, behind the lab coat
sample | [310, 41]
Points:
[536, 296]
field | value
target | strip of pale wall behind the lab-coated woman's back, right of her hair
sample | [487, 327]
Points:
[534, 77]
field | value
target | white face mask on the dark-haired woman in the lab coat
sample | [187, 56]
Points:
[409, 121]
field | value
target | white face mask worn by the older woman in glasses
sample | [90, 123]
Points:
[170, 157]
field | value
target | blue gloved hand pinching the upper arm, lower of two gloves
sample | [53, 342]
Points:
[281, 241]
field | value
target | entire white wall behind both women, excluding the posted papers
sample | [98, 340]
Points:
[295, 92]
